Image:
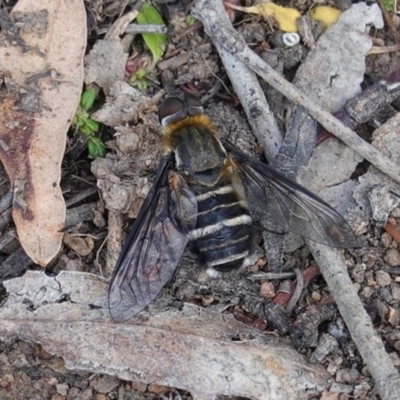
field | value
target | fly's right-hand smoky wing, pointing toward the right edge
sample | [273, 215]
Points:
[293, 207]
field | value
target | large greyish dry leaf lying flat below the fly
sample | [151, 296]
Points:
[192, 348]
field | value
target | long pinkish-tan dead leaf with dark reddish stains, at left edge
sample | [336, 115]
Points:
[42, 69]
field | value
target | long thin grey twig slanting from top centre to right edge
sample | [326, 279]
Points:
[227, 37]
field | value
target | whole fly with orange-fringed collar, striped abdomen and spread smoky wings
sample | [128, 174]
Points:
[209, 194]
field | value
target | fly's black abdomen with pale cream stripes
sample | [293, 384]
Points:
[222, 237]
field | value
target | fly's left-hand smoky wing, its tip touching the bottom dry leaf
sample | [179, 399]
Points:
[155, 244]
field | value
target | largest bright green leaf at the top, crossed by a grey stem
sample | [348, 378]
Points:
[148, 14]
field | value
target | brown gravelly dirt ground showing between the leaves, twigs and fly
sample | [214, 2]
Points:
[191, 64]
